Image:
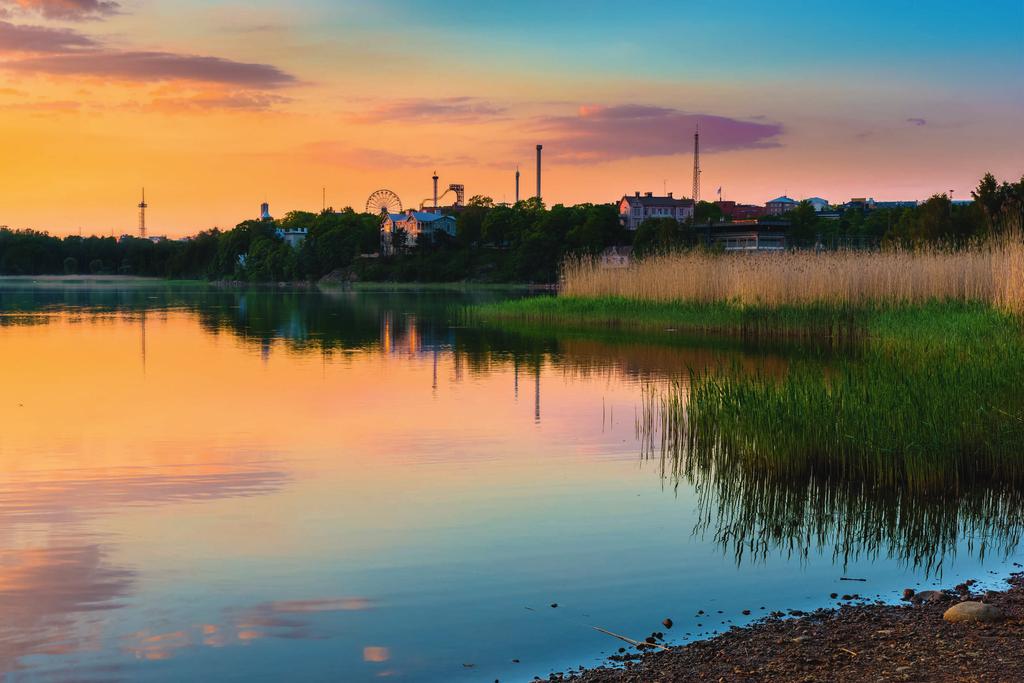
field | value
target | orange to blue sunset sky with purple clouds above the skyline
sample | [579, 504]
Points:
[215, 106]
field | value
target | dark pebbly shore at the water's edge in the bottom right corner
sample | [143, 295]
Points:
[873, 643]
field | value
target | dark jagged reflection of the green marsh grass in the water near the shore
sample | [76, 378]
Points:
[753, 513]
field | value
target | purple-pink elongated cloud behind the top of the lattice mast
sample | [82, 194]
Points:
[608, 134]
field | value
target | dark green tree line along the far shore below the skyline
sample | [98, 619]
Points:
[526, 242]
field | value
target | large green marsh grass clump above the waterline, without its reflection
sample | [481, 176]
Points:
[932, 402]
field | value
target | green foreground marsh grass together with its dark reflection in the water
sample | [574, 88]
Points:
[912, 445]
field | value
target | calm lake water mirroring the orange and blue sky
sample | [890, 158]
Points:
[302, 486]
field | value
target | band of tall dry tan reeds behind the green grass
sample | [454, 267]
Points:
[991, 273]
